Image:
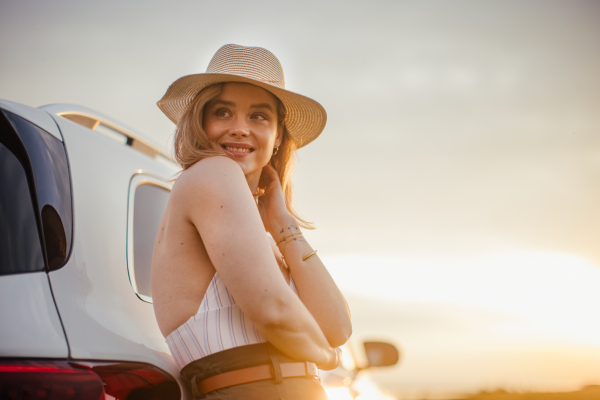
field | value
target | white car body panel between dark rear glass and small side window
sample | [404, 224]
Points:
[103, 317]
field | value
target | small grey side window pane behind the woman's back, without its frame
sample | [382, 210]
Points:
[149, 206]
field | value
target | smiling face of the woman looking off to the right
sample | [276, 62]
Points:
[242, 120]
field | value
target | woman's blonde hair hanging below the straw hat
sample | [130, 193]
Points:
[192, 145]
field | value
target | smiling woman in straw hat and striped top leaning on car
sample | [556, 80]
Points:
[234, 326]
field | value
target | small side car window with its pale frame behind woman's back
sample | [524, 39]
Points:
[150, 197]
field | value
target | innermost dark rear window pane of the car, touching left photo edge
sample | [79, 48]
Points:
[20, 248]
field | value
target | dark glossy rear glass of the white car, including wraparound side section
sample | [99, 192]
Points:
[36, 198]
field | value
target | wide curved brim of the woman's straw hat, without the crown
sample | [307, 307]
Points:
[305, 119]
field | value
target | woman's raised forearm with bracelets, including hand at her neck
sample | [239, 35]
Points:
[316, 288]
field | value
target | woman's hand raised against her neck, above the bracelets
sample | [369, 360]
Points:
[271, 205]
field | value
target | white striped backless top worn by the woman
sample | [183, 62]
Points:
[218, 325]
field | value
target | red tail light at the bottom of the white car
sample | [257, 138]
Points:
[62, 380]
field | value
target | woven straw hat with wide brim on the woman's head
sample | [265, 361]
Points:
[305, 118]
